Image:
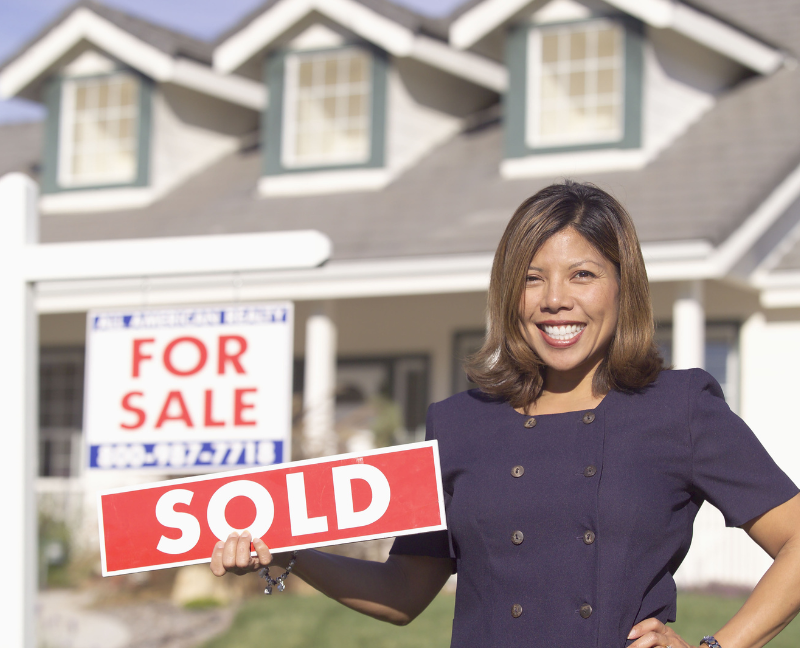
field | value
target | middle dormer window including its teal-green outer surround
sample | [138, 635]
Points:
[326, 111]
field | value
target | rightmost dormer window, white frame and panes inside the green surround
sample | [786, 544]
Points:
[576, 84]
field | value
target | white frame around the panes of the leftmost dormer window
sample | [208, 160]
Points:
[66, 134]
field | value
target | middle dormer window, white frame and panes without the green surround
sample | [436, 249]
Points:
[328, 109]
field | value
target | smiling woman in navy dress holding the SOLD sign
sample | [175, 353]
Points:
[573, 476]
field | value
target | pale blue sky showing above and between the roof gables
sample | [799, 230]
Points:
[21, 20]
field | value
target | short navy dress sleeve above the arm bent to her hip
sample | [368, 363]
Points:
[730, 467]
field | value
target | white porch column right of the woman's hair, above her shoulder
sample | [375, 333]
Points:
[689, 326]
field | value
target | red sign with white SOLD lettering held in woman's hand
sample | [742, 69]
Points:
[334, 500]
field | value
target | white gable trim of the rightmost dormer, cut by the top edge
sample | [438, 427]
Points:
[482, 17]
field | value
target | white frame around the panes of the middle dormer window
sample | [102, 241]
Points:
[289, 131]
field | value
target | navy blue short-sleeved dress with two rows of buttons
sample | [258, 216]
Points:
[566, 529]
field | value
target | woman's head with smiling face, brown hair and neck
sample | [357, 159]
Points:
[569, 257]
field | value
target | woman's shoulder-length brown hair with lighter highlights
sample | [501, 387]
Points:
[506, 366]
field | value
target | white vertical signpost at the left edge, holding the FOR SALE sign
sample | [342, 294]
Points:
[19, 361]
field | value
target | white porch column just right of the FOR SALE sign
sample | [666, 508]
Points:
[319, 434]
